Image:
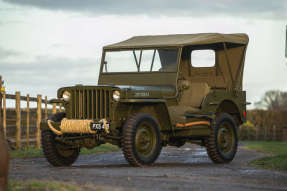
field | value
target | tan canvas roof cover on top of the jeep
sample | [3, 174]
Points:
[178, 40]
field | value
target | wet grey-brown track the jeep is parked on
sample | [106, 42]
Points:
[185, 168]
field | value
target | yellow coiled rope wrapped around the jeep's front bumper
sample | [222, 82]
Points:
[76, 126]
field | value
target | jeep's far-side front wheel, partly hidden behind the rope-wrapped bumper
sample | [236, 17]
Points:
[57, 153]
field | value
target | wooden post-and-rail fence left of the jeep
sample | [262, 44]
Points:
[39, 110]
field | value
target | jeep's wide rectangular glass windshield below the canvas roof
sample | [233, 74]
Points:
[155, 60]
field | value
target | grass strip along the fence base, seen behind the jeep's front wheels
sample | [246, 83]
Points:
[33, 152]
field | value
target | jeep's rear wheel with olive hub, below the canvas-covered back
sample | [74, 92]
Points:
[222, 142]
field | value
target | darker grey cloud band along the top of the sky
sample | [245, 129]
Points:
[257, 8]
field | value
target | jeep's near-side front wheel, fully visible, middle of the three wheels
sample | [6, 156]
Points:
[141, 139]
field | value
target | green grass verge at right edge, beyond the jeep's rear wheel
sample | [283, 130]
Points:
[277, 150]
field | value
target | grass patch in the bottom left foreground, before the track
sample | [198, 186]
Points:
[36, 185]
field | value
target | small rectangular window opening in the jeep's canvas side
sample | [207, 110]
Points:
[203, 58]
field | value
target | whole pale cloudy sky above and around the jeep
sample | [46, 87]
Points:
[45, 45]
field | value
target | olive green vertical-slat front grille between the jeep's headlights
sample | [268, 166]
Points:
[91, 103]
